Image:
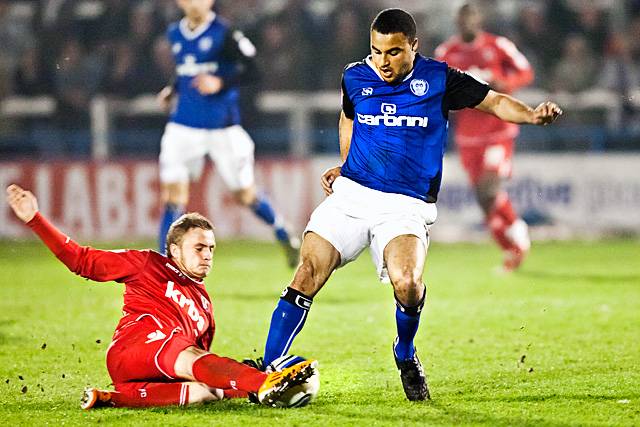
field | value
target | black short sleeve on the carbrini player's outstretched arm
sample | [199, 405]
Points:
[462, 91]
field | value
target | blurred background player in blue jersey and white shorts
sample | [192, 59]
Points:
[211, 59]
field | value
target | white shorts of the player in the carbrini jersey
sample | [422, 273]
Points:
[354, 217]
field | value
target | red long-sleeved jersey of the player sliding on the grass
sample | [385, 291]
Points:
[153, 283]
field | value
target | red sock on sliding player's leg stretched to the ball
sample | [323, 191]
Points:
[225, 373]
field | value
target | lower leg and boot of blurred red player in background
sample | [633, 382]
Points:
[509, 231]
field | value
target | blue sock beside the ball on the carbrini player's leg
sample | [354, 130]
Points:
[287, 320]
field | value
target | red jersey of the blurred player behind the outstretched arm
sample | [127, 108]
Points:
[493, 59]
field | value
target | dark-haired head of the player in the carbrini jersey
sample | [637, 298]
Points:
[393, 43]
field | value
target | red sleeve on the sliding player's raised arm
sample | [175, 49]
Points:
[85, 261]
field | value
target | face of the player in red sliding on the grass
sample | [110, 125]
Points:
[194, 255]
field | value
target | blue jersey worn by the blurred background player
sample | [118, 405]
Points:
[212, 48]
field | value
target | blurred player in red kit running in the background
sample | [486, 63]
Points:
[485, 143]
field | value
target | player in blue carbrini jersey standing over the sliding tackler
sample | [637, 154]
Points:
[392, 131]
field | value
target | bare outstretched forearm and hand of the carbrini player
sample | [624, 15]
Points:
[513, 110]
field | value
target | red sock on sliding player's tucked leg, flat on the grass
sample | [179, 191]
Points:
[139, 395]
